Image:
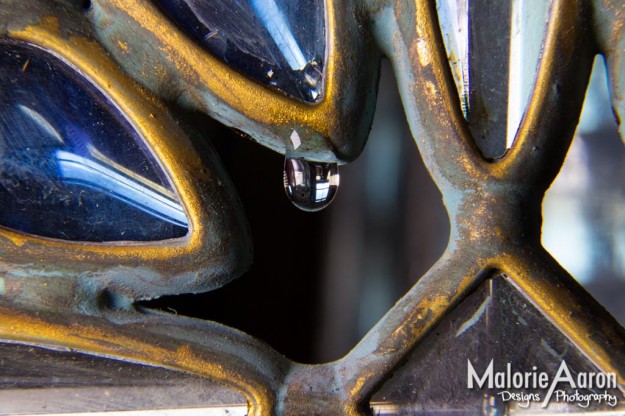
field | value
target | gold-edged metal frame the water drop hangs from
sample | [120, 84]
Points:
[334, 129]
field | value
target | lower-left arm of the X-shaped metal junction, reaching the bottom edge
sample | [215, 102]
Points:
[343, 387]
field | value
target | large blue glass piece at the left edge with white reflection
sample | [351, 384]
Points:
[71, 166]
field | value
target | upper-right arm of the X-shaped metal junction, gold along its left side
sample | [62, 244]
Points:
[547, 127]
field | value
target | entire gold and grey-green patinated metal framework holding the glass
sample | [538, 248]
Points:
[493, 205]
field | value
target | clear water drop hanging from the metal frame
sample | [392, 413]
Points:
[311, 186]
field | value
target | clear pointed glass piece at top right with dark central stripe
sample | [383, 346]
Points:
[493, 47]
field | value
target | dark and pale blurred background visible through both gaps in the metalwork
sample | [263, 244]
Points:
[321, 280]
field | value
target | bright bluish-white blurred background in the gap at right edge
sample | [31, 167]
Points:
[584, 210]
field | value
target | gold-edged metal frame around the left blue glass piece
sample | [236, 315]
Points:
[207, 257]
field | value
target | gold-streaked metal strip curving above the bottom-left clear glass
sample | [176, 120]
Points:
[203, 348]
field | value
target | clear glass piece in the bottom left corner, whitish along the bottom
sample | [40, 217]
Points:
[35, 380]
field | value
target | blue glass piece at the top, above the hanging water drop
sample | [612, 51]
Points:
[276, 42]
